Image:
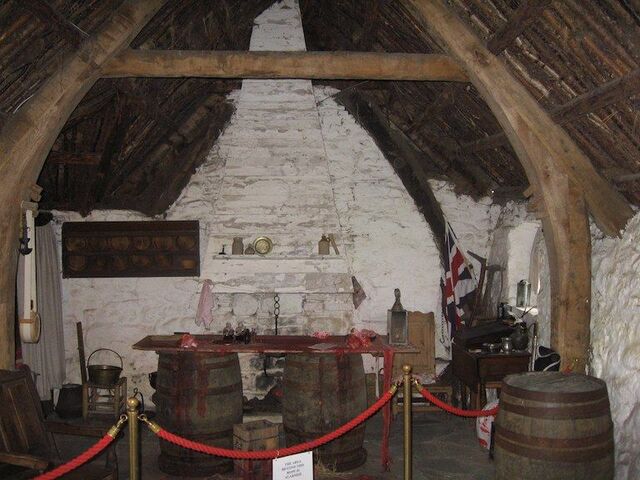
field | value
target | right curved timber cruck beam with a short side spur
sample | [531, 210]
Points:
[563, 180]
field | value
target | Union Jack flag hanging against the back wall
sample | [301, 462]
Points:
[459, 282]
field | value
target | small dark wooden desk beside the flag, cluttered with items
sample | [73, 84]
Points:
[475, 370]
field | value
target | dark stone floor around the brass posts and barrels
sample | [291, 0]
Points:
[445, 447]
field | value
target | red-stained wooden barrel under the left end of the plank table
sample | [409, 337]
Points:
[198, 396]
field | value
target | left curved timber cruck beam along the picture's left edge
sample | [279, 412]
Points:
[28, 136]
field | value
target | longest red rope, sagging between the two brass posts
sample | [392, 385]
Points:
[269, 454]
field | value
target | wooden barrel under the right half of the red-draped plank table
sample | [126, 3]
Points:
[320, 393]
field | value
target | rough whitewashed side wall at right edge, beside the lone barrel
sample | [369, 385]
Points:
[615, 338]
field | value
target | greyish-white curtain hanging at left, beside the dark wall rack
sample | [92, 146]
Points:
[46, 358]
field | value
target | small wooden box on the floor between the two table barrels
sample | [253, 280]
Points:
[251, 436]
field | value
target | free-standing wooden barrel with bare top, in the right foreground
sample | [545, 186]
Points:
[554, 426]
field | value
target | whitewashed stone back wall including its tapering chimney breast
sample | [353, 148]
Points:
[292, 170]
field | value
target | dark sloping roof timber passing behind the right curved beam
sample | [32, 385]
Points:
[609, 93]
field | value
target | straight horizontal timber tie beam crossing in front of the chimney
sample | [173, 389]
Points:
[307, 65]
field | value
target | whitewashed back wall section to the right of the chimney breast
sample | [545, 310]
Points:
[389, 244]
